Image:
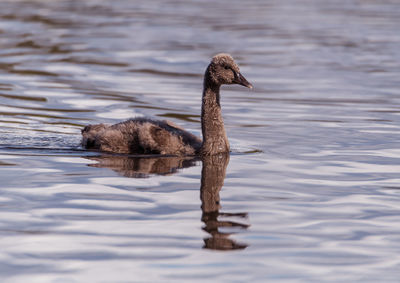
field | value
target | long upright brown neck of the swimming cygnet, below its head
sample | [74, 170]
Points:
[214, 136]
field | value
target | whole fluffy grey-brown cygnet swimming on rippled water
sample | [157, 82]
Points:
[147, 136]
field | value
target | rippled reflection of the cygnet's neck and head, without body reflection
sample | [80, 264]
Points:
[212, 180]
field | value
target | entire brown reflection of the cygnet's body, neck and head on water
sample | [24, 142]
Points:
[212, 179]
